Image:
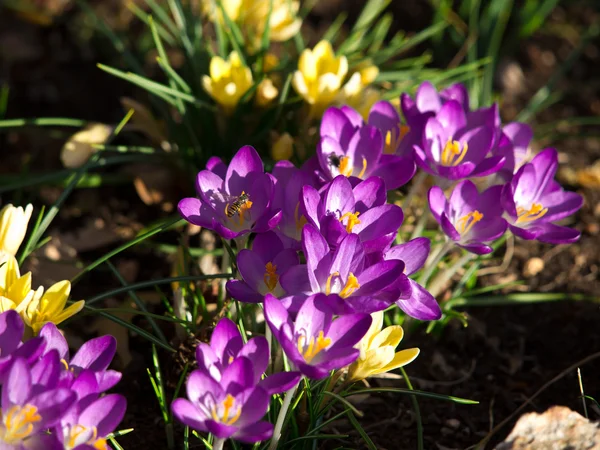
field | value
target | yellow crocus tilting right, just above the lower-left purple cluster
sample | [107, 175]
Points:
[50, 306]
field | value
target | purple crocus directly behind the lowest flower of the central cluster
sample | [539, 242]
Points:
[226, 345]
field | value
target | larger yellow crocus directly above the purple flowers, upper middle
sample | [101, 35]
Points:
[320, 76]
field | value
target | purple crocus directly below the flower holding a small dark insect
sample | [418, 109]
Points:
[340, 209]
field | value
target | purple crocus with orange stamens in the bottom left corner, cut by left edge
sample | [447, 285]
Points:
[29, 409]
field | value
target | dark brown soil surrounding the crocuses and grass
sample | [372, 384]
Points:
[501, 359]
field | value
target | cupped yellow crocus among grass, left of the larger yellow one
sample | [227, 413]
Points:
[228, 81]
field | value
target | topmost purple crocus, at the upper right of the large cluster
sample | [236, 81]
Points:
[454, 147]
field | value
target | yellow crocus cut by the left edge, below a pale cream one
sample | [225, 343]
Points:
[15, 290]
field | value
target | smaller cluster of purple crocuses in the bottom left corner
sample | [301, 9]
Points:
[51, 401]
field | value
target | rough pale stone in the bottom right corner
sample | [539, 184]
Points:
[558, 428]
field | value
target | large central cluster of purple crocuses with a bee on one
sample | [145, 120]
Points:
[323, 255]
